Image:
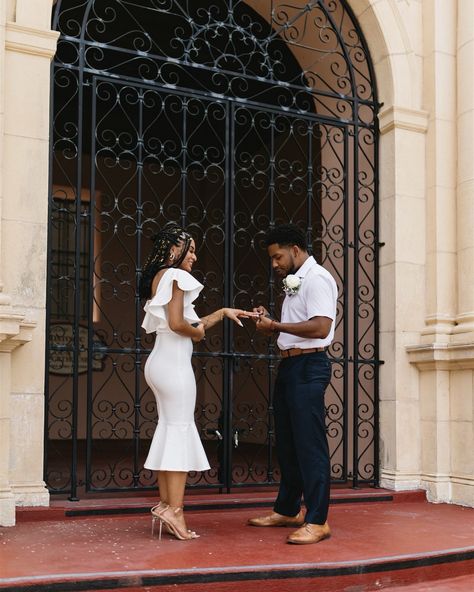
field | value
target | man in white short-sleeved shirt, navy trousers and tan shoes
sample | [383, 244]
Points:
[305, 331]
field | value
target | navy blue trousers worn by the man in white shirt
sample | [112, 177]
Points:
[301, 440]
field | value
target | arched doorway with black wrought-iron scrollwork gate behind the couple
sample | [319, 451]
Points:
[230, 117]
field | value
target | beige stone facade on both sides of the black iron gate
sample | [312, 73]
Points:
[423, 52]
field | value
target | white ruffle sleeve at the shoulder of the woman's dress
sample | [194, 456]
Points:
[156, 313]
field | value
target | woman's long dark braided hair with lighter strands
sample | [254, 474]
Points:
[171, 234]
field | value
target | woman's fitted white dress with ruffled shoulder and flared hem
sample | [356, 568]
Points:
[176, 445]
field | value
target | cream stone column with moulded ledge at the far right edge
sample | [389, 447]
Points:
[444, 351]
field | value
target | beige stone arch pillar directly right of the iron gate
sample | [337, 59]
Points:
[393, 32]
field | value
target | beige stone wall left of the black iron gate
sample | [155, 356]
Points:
[27, 48]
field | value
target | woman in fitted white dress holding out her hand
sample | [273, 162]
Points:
[170, 290]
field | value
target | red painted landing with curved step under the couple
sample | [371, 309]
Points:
[375, 545]
